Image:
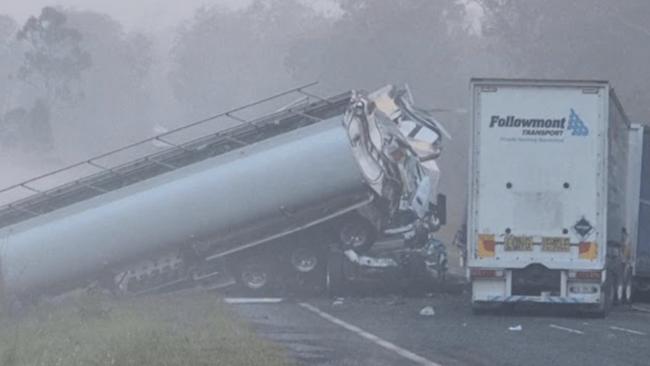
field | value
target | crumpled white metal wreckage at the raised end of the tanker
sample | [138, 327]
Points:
[396, 145]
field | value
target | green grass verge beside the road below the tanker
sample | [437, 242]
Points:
[187, 328]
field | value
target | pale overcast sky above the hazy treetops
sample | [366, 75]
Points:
[139, 14]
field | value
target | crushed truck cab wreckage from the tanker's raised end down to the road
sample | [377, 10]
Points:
[406, 144]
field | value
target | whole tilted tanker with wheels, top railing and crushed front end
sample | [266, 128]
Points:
[272, 199]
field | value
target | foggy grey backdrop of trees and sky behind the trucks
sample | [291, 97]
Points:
[89, 76]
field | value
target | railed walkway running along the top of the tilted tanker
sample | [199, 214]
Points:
[285, 111]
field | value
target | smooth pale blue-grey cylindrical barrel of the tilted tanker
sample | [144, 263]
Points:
[197, 203]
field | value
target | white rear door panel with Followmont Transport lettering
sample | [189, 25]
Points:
[538, 189]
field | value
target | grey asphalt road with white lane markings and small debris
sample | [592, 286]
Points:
[389, 330]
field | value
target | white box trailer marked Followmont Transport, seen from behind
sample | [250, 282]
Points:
[547, 194]
